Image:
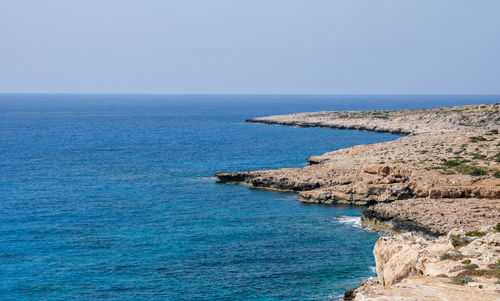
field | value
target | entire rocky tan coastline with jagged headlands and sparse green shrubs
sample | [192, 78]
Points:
[437, 187]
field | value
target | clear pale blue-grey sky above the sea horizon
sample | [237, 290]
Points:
[250, 46]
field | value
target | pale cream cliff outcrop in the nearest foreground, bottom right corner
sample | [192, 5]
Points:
[410, 267]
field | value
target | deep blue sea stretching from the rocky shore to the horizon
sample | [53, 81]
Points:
[112, 197]
